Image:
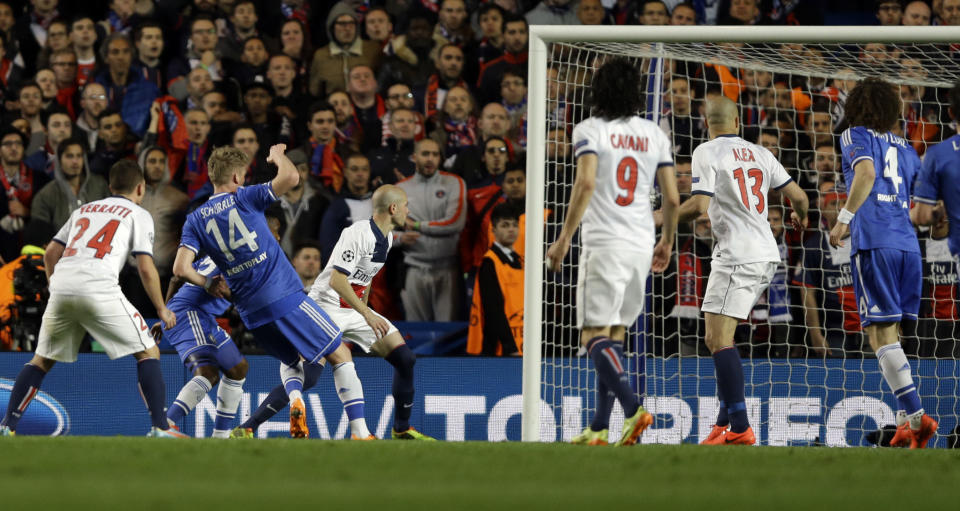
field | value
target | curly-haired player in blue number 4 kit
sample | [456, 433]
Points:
[880, 168]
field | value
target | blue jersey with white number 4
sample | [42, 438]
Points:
[883, 221]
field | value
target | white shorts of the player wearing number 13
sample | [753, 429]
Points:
[733, 290]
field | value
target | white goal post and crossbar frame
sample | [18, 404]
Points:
[654, 38]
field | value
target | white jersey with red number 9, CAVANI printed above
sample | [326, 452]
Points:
[629, 152]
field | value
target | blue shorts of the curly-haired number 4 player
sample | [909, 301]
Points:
[887, 283]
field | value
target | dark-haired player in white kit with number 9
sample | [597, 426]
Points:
[618, 156]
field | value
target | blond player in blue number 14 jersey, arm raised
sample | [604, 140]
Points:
[231, 229]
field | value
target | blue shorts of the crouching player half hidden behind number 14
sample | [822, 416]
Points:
[200, 341]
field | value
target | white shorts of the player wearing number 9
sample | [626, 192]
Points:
[611, 287]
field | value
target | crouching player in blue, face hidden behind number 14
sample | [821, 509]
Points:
[205, 349]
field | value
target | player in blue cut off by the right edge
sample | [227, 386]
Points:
[940, 180]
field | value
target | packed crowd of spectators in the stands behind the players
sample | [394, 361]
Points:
[430, 94]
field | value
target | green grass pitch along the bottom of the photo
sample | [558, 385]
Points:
[100, 473]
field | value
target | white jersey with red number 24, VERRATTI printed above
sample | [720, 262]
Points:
[97, 240]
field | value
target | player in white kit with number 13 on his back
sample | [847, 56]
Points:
[731, 178]
